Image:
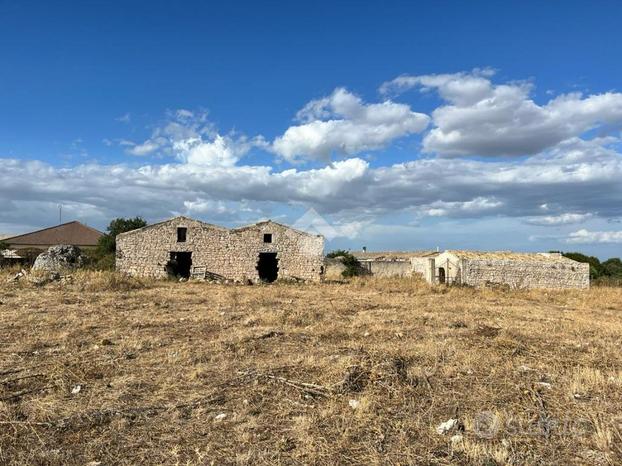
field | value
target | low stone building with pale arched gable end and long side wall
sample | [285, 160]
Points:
[517, 270]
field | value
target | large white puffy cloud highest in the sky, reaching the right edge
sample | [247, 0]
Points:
[483, 118]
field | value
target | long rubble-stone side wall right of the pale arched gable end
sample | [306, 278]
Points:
[523, 274]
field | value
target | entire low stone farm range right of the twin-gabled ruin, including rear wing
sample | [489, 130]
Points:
[474, 268]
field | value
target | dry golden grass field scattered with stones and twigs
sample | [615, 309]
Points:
[106, 370]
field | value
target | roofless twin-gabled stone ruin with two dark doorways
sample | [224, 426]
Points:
[181, 246]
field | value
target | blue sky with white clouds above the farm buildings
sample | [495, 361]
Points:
[407, 125]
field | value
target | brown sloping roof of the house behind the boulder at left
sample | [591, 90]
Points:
[74, 233]
